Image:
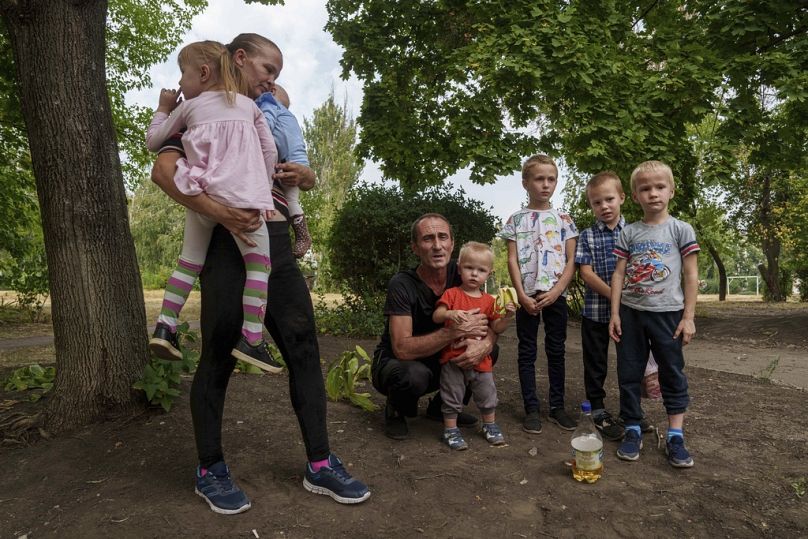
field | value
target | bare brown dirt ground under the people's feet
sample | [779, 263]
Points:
[748, 435]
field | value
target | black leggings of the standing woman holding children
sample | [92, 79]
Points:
[290, 321]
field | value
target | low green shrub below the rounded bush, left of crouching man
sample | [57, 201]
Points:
[357, 315]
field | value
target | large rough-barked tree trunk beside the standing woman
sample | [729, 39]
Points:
[99, 321]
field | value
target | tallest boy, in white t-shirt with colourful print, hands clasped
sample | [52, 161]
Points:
[541, 251]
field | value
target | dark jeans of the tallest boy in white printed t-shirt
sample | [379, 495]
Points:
[555, 336]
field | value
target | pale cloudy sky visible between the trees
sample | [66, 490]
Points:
[311, 70]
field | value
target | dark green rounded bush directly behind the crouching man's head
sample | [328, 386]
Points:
[371, 237]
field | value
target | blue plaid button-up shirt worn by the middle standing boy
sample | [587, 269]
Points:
[595, 246]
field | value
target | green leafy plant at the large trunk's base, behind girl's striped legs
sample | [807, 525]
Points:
[161, 378]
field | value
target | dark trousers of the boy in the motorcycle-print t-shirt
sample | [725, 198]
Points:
[643, 330]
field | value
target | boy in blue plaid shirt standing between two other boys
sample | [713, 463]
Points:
[596, 264]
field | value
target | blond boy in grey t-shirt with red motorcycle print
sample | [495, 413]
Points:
[650, 309]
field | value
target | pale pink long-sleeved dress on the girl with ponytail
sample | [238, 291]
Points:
[229, 150]
